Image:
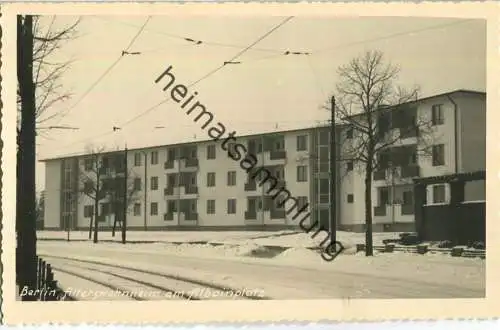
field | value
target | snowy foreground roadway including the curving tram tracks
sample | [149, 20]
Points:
[180, 273]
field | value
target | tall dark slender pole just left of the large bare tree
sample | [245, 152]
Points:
[333, 177]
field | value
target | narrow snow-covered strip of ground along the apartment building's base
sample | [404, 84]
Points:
[285, 238]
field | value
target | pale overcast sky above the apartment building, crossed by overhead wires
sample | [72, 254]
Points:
[267, 91]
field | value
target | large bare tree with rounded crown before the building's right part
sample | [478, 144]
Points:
[378, 116]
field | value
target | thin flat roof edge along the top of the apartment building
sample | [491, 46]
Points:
[76, 155]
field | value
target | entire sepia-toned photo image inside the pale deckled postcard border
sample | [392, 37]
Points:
[212, 157]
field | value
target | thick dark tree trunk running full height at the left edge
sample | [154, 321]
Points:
[26, 216]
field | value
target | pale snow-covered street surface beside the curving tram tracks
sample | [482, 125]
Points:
[300, 275]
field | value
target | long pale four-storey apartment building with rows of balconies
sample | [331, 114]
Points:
[200, 186]
